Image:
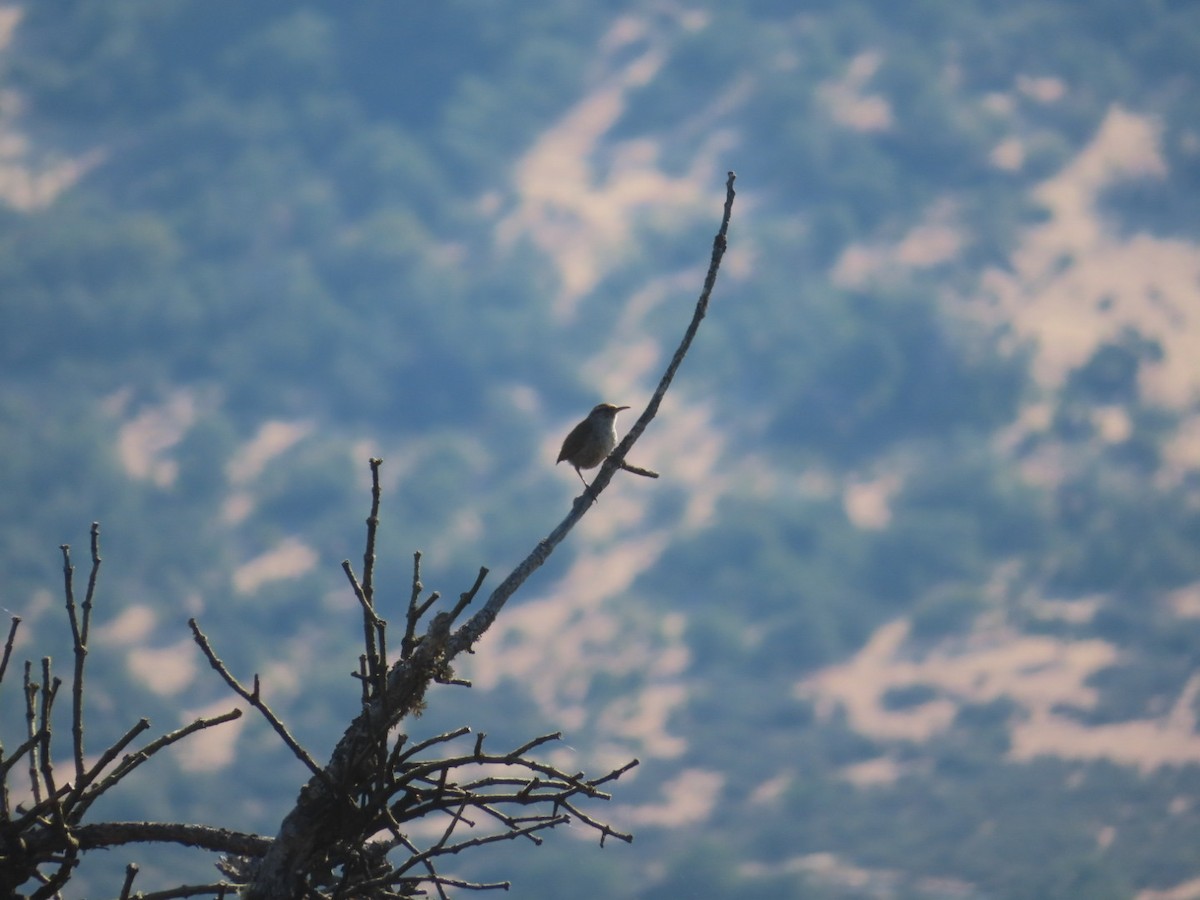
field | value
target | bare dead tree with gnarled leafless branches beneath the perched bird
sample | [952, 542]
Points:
[351, 831]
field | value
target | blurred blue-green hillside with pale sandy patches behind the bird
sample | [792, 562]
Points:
[914, 610]
